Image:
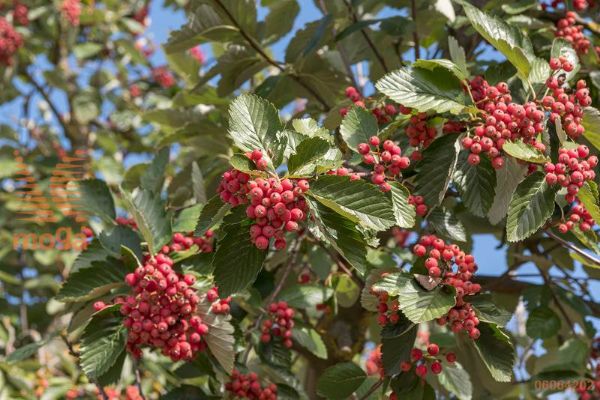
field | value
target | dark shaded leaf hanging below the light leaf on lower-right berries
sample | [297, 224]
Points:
[396, 343]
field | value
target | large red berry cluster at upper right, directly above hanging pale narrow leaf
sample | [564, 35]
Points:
[503, 120]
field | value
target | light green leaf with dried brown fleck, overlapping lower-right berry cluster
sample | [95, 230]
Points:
[420, 305]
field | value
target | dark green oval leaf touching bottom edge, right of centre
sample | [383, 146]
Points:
[340, 381]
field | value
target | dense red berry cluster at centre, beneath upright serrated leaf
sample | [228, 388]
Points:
[276, 206]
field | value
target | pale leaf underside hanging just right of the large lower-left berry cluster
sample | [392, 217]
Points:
[220, 338]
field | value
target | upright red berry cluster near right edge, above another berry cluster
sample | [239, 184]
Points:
[566, 106]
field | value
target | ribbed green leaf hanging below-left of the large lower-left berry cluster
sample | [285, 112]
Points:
[102, 342]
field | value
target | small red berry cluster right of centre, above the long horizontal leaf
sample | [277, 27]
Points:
[387, 163]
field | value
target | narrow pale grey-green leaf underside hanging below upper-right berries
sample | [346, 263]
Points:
[507, 180]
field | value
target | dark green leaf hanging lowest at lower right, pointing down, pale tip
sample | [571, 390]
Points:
[496, 351]
